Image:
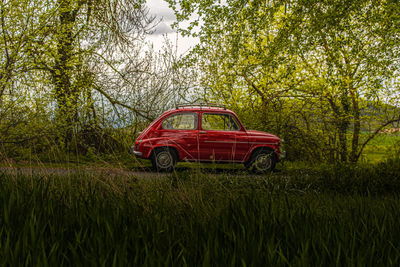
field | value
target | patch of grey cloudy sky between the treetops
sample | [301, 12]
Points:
[160, 9]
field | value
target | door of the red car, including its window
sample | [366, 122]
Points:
[221, 138]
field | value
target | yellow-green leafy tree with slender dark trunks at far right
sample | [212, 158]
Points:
[351, 50]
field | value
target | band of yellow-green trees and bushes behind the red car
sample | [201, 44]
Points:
[79, 76]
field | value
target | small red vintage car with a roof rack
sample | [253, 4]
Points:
[206, 133]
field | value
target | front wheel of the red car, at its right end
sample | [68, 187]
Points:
[261, 161]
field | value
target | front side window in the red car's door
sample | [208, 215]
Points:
[221, 122]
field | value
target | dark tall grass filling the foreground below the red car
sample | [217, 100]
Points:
[325, 216]
